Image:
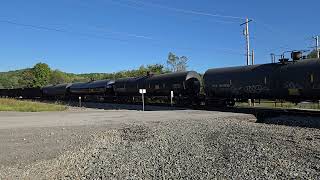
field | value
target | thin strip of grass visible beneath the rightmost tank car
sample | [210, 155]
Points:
[283, 105]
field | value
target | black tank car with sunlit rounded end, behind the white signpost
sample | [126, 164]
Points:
[185, 86]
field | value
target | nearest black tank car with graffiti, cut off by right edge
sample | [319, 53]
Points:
[288, 80]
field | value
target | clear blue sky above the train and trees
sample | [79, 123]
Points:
[82, 36]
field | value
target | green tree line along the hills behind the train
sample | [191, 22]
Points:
[41, 74]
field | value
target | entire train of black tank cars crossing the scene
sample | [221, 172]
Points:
[292, 80]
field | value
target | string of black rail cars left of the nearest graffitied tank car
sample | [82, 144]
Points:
[184, 85]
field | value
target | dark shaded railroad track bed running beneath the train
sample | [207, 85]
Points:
[289, 117]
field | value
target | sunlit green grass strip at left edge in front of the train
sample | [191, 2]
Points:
[28, 106]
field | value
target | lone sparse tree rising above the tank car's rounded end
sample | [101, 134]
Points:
[178, 64]
